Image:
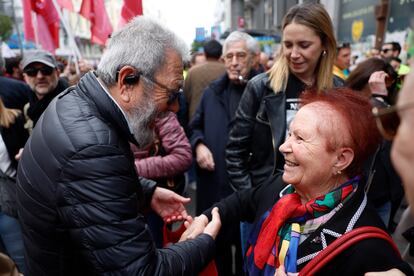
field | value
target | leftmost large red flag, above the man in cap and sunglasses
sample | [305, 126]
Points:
[46, 23]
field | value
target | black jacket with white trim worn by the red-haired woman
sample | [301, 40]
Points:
[368, 255]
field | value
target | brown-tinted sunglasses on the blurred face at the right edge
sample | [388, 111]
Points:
[388, 120]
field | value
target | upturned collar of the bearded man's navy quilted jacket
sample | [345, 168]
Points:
[107, 107]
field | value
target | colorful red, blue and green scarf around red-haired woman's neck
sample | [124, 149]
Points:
[279, 228]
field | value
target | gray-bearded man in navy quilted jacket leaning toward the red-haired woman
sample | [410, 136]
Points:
[81, 202]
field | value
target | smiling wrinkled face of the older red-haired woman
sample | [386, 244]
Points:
[308, 163]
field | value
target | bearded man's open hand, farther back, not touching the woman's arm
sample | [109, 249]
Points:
[169, 205]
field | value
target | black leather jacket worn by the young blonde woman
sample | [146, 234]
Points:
[257, 131]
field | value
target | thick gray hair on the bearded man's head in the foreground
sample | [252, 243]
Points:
[142, 43]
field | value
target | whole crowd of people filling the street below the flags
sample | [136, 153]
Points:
[287, 156]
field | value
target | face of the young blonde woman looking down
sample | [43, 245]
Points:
[302, 48]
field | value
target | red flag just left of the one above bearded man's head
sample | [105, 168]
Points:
[101, 27]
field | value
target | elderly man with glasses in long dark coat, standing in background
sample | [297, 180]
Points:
[210, 128]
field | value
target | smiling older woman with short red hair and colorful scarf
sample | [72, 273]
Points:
[319, 197]
